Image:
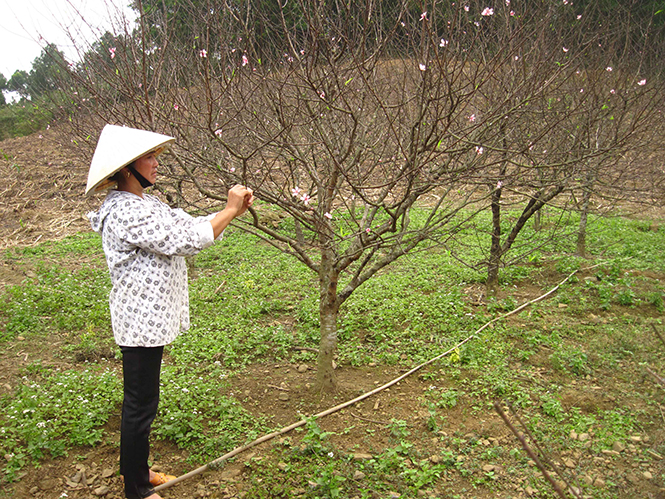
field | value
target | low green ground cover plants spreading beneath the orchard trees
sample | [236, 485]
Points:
[253, 307]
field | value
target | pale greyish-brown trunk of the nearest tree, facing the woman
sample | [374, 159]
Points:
[328, 311]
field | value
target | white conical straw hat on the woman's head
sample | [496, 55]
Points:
[117, 147]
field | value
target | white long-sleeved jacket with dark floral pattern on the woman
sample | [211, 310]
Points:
[144, 241]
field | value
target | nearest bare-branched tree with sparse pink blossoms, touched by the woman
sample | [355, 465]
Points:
[367, 129]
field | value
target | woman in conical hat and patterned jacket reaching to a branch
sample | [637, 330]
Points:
[145, 242]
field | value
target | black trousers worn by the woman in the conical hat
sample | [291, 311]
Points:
[141, 368]
